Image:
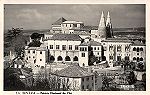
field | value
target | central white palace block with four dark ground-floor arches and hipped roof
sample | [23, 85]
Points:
[64, 47]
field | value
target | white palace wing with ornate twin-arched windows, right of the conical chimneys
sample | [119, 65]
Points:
[116, 50]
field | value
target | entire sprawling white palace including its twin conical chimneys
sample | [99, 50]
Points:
[68, 42]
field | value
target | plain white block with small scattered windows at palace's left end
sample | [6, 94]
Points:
[36, 56]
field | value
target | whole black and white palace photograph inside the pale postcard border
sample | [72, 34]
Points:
[74, 47]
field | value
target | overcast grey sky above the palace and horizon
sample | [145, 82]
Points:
[42, 16]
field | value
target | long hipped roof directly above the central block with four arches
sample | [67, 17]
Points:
[72, 37]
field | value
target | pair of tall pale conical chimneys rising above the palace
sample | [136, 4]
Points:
[103, 25]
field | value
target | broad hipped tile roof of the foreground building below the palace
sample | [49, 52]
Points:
[73, 71]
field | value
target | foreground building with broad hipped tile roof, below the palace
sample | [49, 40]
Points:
[76, 78]
